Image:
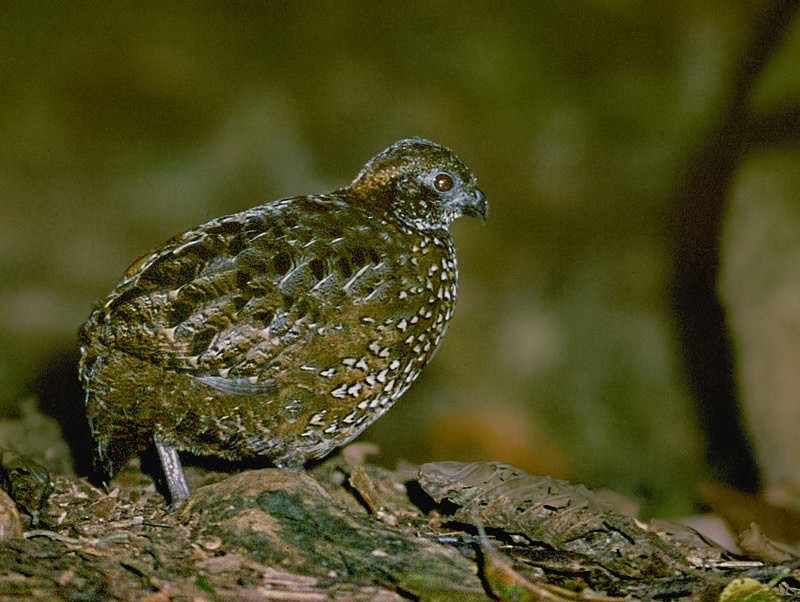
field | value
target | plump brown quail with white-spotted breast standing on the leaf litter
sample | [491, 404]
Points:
[282, 331]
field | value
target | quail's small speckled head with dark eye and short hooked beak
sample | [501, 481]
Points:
[422, 183]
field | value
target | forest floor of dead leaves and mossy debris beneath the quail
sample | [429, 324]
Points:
[347, 530]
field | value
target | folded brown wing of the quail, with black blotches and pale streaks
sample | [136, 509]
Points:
[234, 300]
